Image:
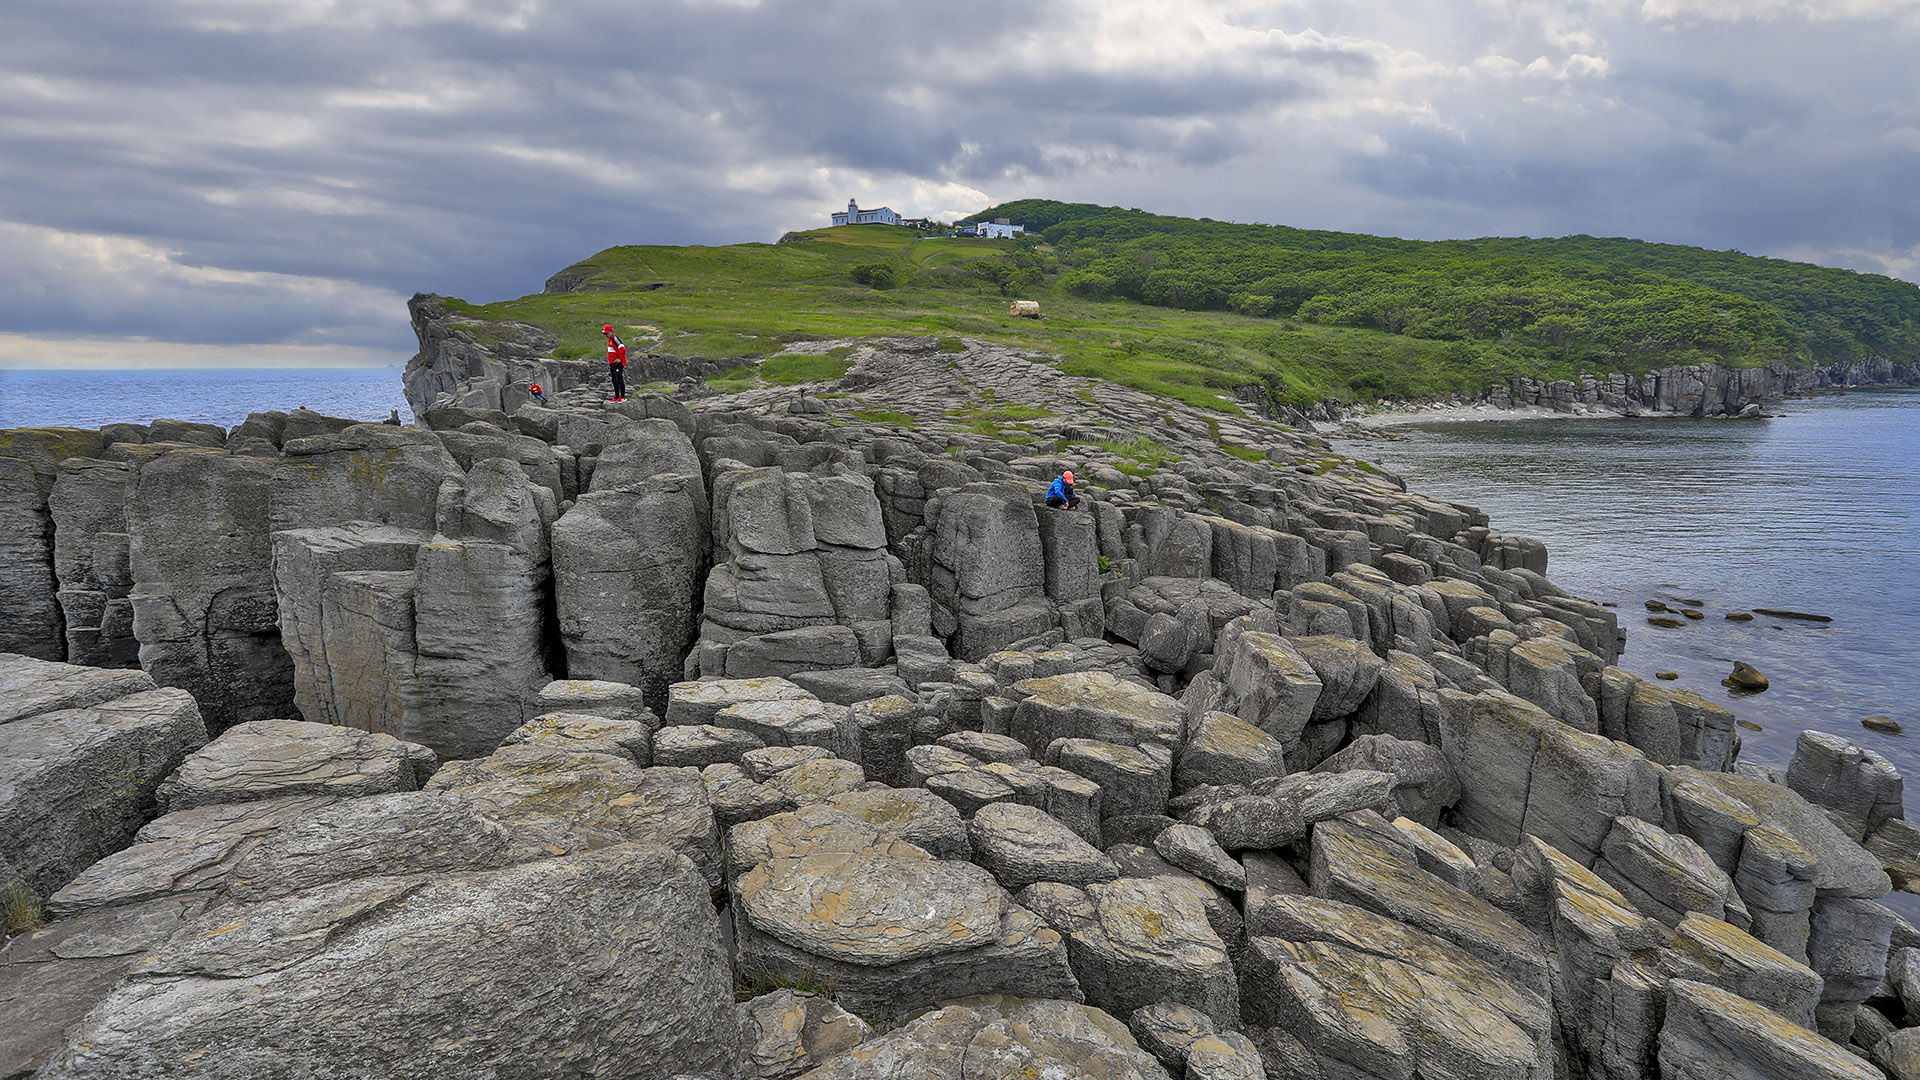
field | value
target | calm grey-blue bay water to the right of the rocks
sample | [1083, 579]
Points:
[1815, 510]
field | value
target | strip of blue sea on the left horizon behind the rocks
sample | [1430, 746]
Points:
[203, 395]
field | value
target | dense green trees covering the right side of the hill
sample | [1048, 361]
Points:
[1577, 299]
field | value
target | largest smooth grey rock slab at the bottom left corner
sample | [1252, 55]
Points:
[606, 960]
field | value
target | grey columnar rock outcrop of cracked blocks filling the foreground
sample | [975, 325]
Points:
[790, 735]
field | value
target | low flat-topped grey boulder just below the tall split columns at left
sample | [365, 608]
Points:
[268, 760]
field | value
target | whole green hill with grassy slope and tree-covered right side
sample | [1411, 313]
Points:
[1195, 308]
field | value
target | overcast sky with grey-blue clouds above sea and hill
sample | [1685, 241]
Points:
[266, 182]
